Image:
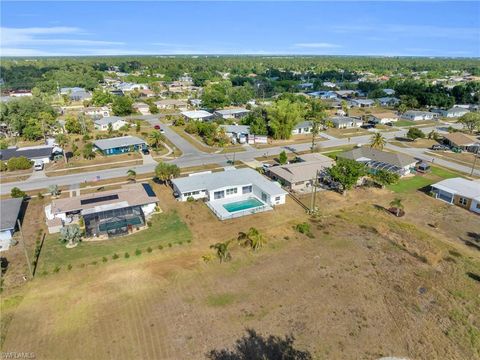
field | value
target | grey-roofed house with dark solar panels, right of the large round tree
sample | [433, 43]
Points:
[381, 160]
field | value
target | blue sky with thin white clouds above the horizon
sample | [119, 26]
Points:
[380, 28]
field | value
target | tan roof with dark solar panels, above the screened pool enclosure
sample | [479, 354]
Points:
[128, 195]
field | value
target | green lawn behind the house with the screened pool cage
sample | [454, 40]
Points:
[166, 228]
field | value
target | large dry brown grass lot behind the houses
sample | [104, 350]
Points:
[364, 285]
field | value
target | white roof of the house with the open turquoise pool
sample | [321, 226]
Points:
[237, 177]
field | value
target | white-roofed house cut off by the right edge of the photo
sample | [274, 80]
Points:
[459, 191]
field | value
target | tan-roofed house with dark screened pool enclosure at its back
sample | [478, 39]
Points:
[107, 213]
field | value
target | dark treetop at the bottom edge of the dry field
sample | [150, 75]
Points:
[253, 346]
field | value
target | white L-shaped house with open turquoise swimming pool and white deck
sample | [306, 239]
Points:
[231, 193]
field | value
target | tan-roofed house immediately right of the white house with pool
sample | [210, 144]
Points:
[301, 175]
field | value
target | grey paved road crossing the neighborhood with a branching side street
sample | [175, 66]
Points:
[194, 157]
